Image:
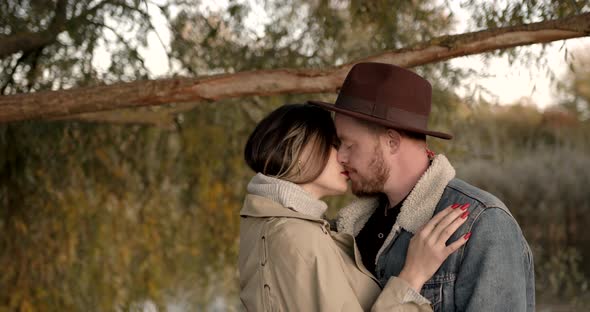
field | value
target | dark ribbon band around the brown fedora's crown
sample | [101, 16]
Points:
[389, 113]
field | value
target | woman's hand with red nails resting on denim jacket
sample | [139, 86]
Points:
[428, 248]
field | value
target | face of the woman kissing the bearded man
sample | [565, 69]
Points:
[332, 181]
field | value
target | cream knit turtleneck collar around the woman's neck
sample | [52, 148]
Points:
[288, 194]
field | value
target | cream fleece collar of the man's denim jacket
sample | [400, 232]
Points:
[416, 210]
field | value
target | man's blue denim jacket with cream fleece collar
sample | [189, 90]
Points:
[492, 272]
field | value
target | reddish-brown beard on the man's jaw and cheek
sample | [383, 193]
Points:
[375, 182]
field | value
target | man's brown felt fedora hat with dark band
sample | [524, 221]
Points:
[387, 95]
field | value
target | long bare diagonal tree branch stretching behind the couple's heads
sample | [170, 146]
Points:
[279, 81]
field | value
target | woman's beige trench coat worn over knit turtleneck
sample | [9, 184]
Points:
[289, 261]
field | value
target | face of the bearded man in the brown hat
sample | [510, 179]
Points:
[361, 154]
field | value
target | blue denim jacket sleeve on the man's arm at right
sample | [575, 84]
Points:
[496, 266]
